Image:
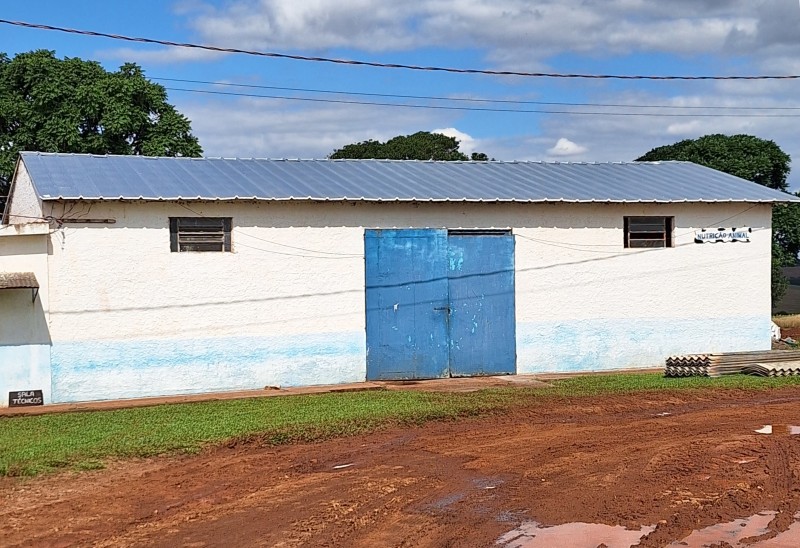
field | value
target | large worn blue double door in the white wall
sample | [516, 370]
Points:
[439, 304]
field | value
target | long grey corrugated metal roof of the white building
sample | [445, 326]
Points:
[78, 176]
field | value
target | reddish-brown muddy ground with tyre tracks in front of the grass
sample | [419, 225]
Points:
[679, 461]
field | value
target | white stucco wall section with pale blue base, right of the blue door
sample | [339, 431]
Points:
[592, 305]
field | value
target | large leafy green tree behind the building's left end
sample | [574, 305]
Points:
[71, 105]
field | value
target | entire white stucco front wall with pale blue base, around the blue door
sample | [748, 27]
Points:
[129, 318]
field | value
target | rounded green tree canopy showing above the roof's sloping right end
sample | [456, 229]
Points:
[745, 156]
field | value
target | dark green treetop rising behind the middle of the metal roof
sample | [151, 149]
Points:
[422, 145]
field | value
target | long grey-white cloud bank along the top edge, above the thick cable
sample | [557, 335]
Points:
[504, 28]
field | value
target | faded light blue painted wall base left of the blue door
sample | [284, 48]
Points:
[103, 370]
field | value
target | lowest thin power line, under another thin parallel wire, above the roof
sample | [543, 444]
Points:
[481, 109]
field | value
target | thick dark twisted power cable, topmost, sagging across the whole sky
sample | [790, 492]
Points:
[384, 65]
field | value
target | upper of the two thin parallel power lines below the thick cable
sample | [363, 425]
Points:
[463, 99]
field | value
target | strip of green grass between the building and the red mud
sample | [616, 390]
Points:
[85, 440]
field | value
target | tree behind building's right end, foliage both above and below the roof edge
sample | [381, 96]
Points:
[757, 160]
